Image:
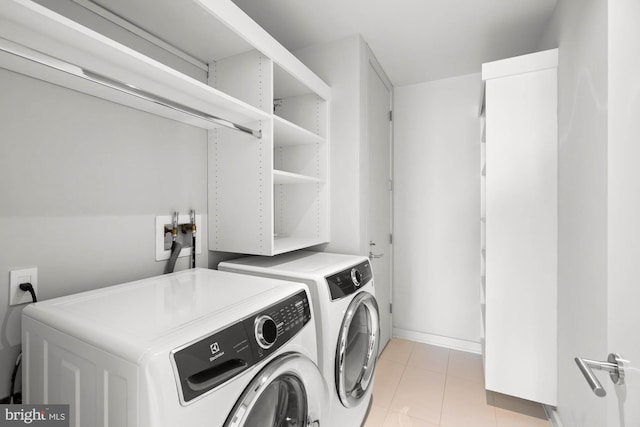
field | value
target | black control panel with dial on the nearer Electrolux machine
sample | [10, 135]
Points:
[211, 361]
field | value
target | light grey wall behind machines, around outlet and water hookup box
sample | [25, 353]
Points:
[81, 181]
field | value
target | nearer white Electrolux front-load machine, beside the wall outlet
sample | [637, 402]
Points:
[194, 348]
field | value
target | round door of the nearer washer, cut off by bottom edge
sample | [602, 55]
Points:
[289, 391]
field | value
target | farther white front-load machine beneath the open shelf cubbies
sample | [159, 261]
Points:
[347, 321]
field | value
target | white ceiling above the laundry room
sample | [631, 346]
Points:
[414, 40]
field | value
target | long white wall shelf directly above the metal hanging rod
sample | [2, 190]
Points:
[39, 42]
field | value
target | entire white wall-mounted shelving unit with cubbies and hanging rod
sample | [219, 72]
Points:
[267, 113]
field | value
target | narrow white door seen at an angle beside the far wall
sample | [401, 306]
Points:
[379, 221]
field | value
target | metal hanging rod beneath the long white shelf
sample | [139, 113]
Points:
[57, 64]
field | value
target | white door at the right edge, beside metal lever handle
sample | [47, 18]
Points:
[623, 402]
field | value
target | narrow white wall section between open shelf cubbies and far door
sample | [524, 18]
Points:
[341, 64]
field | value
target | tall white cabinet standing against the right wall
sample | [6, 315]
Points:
[520, 226]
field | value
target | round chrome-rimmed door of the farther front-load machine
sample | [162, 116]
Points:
[357, 349]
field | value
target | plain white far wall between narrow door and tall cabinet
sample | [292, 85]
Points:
[437, 211]
